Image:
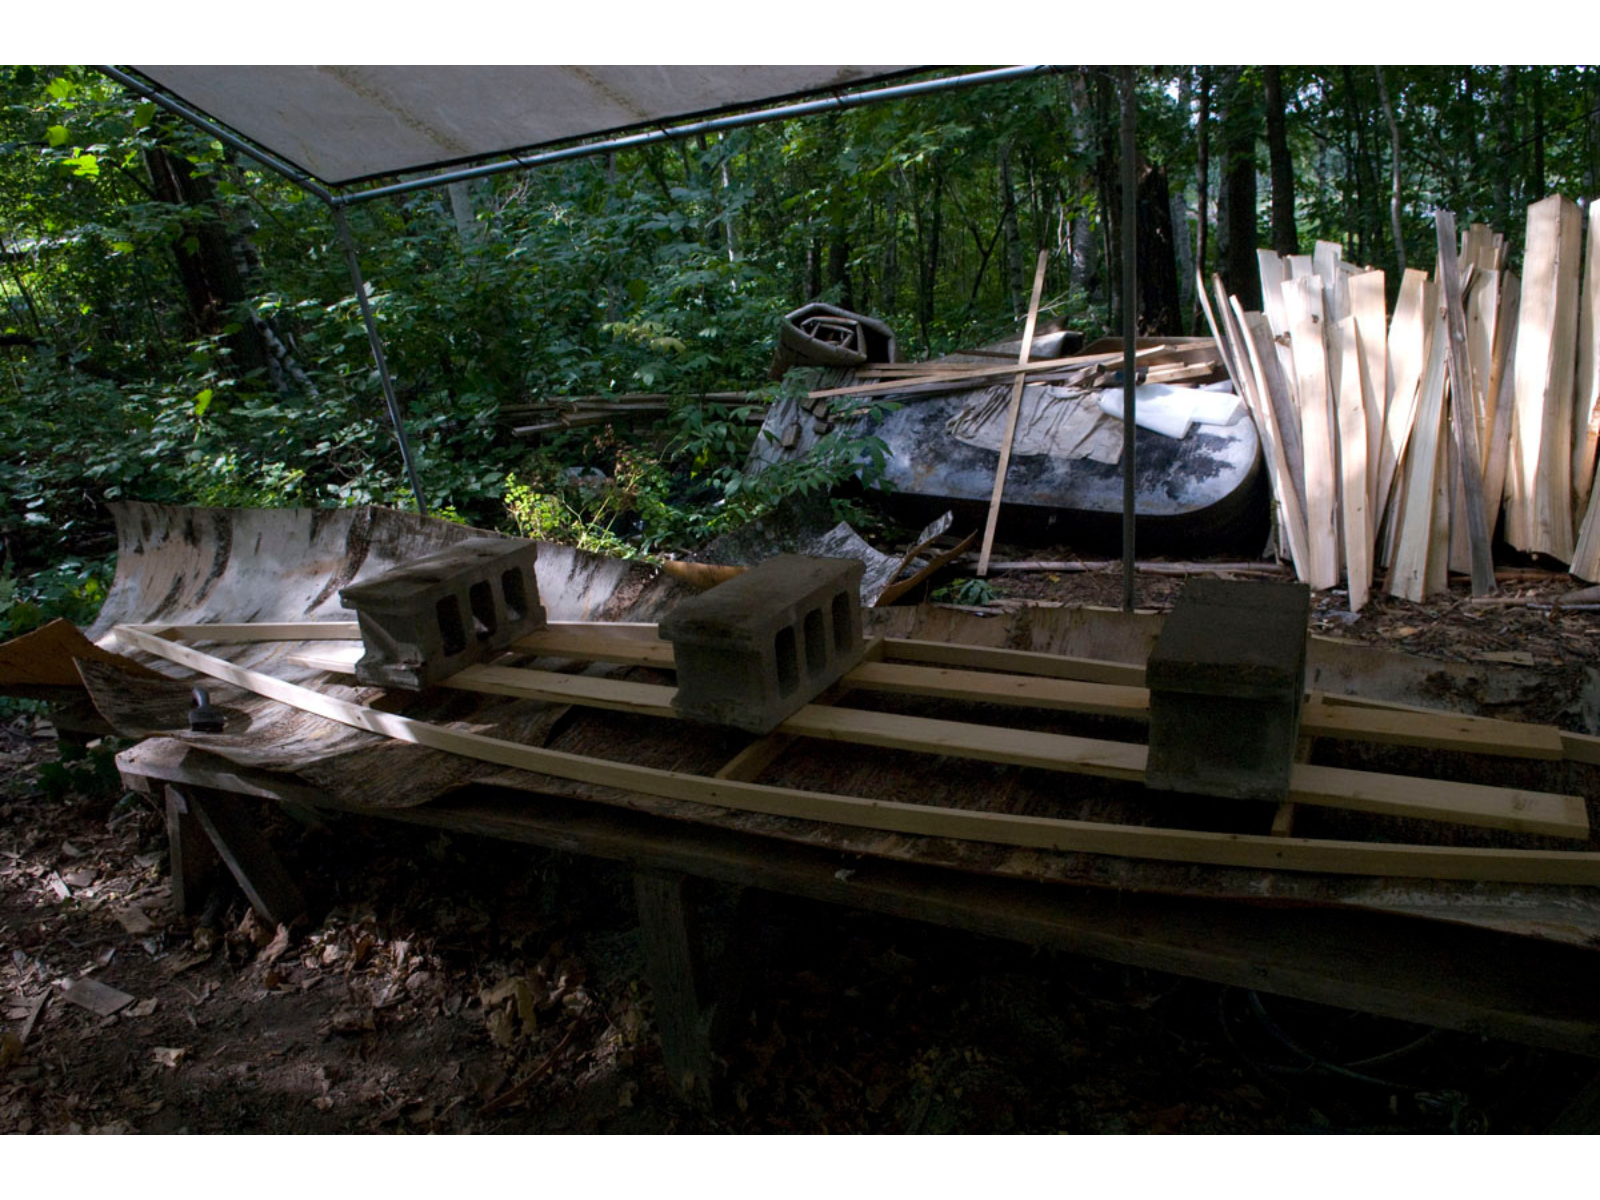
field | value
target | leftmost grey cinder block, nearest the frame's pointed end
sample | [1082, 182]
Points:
[428, 620]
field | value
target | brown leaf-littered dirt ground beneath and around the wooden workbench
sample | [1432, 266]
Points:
[452, 985]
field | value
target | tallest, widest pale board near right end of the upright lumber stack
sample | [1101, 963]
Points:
[1546, 366]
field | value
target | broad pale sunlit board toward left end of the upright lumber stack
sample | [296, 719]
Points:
[1303, 302]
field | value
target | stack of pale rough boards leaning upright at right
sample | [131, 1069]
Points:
[1382, 465]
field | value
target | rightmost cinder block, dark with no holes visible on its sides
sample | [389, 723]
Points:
[1226, 681]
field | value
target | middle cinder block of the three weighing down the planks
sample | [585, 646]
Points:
[767, 642]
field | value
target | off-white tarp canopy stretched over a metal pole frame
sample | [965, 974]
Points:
[351, 124]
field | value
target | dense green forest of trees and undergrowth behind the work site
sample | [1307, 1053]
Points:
[180, 327]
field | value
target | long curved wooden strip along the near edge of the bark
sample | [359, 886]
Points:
[1516, 866]
